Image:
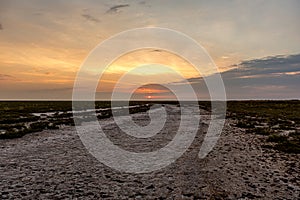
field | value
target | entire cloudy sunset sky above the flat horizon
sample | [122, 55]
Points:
[255, 45]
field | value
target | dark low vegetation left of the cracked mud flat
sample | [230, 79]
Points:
[17, 118]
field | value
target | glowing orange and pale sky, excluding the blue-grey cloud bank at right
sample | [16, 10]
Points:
[43, 43]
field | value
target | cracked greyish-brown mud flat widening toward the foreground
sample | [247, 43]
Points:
[56, 165]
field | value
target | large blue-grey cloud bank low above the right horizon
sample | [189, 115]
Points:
[276, 77]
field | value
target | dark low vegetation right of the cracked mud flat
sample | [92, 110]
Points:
[277, 121]
